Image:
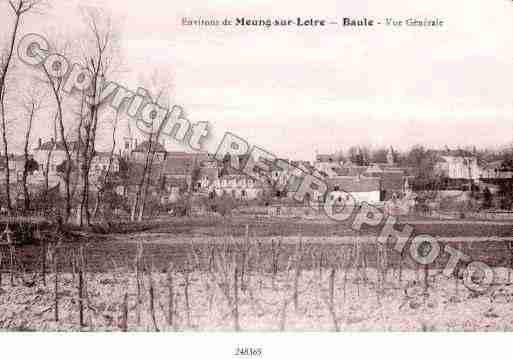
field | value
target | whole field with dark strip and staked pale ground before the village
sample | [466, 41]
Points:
[242, 275]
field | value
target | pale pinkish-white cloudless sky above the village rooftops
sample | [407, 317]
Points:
[300, 91]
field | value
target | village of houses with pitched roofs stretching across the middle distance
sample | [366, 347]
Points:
[182, 183]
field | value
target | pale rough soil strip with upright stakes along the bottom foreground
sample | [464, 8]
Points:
[360, 303]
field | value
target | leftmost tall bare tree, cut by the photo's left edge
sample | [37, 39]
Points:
[19, 8]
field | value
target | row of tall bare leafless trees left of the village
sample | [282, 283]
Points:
[77, 122]
